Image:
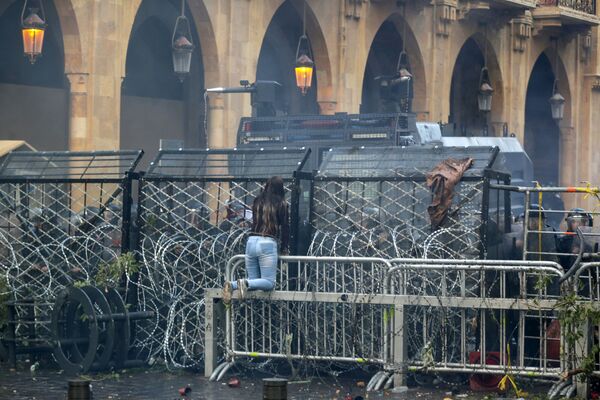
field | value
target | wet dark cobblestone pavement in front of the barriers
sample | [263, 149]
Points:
[153, 384]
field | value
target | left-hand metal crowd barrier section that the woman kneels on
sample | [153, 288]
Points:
[324, 309]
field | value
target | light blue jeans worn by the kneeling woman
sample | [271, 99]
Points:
[261, 263]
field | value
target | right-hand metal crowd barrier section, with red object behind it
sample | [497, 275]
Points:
[464, 316]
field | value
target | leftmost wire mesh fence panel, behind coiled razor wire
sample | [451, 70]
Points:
[61, 217]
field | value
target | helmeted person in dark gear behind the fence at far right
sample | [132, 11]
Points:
[569, 243]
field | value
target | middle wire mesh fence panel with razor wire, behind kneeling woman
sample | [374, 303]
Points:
[195, 211]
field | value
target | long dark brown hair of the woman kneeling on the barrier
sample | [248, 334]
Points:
[267, 204]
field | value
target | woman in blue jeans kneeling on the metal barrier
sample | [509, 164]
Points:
[270, 230]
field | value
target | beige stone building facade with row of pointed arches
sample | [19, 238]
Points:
[96, 35]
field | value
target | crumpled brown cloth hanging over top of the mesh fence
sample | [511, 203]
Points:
[442, 180]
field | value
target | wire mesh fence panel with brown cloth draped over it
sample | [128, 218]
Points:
[374, 202]
